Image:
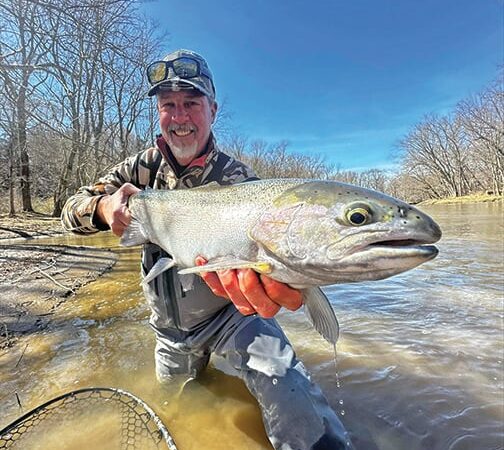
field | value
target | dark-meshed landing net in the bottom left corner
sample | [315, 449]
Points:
[92, 418]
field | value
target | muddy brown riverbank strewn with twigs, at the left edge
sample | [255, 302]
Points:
[35, 279]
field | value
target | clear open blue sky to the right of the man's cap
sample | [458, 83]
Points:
[345, 79]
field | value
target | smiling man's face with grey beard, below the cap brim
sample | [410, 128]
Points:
[185, 119]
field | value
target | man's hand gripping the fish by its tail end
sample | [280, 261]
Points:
[113, 209]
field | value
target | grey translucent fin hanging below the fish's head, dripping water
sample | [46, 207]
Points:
[320, 313]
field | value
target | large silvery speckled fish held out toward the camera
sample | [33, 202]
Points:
[306, 233]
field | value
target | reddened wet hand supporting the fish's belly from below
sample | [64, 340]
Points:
[251, 292]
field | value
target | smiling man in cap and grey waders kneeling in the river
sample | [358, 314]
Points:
[229, 312]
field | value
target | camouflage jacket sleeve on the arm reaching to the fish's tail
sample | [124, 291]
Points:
[78, 214]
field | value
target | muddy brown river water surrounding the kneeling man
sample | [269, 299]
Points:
[420, 358]
